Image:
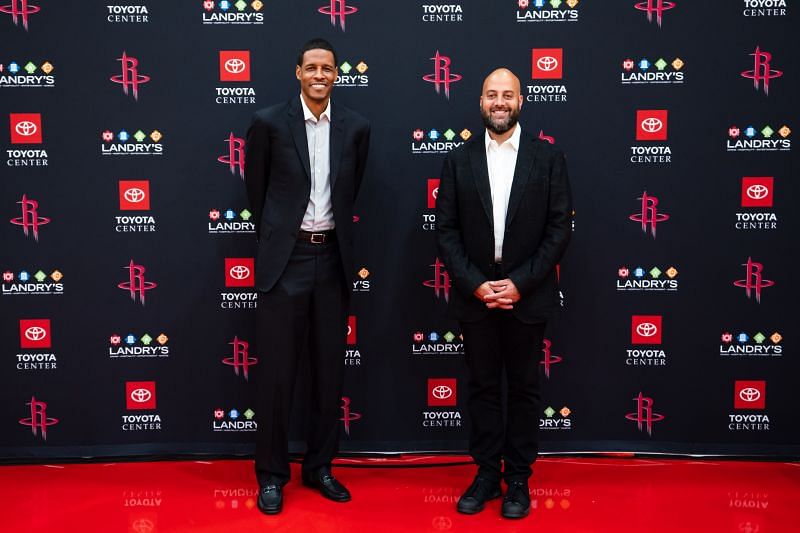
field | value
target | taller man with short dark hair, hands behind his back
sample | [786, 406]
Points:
[303, 168]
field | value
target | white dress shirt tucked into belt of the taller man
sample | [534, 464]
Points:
[319, 213]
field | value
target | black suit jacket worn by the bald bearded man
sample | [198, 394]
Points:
[538, 227]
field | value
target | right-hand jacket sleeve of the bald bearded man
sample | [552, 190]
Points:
[557, 232]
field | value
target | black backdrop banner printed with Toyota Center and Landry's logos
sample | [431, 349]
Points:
[127, 242]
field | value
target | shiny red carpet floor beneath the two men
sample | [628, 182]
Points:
[567, 495]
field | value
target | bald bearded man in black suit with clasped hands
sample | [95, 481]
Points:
[503, 222]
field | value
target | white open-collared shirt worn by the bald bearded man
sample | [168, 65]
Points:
[502, 161]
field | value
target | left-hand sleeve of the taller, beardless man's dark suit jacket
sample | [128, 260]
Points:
[256, 168]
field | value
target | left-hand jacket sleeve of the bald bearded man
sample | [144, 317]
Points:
[449, 239]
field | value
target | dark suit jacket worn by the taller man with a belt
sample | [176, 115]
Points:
[278, 179]
